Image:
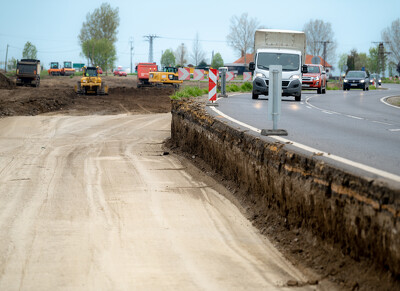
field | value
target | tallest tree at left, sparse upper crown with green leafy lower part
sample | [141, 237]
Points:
[98, 33]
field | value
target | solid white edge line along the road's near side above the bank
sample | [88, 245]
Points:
[357, 165]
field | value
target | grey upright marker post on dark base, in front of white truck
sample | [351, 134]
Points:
[274, 101]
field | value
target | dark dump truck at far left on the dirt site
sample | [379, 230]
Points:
[28, 72]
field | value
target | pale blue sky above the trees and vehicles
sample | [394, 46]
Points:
[53, 26]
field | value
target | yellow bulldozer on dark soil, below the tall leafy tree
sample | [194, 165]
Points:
[91, 83]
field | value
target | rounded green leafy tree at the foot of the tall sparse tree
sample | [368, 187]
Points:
[101, 52]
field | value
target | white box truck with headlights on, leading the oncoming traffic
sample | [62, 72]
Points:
[278, 47]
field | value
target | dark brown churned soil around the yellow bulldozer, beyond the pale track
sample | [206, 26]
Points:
[56, 95]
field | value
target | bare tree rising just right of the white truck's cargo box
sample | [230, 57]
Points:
[320, 34]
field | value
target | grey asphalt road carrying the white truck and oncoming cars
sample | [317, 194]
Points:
[354, 129]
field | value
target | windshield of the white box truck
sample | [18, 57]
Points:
[289, 62]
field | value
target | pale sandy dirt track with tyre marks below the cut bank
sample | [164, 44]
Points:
[93, 203]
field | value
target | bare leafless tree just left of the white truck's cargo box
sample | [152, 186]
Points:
[241, 34]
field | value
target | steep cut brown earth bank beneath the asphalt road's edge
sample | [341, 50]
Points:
[322, 218]
